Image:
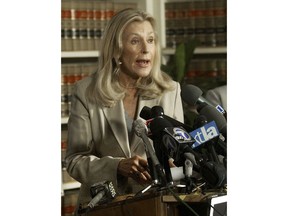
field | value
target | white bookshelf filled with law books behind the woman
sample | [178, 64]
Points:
[80, 59]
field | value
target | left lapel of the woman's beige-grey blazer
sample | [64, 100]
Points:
[116, 119]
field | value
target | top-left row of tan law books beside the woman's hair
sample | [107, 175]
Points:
[83, 22]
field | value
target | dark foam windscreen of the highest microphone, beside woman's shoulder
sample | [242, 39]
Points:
[190, 94]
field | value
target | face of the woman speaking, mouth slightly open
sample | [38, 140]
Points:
[138, 49]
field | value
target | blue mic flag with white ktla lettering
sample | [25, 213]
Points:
[204, 133]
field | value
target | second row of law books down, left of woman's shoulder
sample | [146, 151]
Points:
[70, 73]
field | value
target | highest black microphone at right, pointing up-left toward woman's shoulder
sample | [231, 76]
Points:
[192, 95]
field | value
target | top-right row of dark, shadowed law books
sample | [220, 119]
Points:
[205, 21]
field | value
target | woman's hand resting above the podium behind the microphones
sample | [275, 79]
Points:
[136, 168]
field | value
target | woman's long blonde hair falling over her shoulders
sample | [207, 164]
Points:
[104, 88]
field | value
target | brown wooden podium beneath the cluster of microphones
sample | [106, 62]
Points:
[149, 204]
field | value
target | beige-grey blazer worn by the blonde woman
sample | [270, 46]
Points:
[98, 139]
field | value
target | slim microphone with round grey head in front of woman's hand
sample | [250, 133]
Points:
[140, 130]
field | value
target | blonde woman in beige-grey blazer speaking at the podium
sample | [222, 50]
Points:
[101, 142]
